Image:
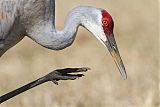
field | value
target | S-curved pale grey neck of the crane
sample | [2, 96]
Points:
[46, 35]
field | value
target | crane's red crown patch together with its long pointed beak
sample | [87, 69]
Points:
[109, 41]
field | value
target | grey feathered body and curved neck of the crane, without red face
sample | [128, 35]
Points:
[36, 19]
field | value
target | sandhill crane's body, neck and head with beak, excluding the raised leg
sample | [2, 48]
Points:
[36, 19]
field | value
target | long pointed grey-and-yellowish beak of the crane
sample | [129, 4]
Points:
[113, 49]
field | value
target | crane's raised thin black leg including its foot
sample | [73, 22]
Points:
[54, 76]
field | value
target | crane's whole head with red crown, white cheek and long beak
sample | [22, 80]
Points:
[100, 23]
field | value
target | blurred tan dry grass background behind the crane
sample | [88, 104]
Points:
[136, 32]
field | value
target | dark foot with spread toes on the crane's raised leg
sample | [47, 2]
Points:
[66, 74]
